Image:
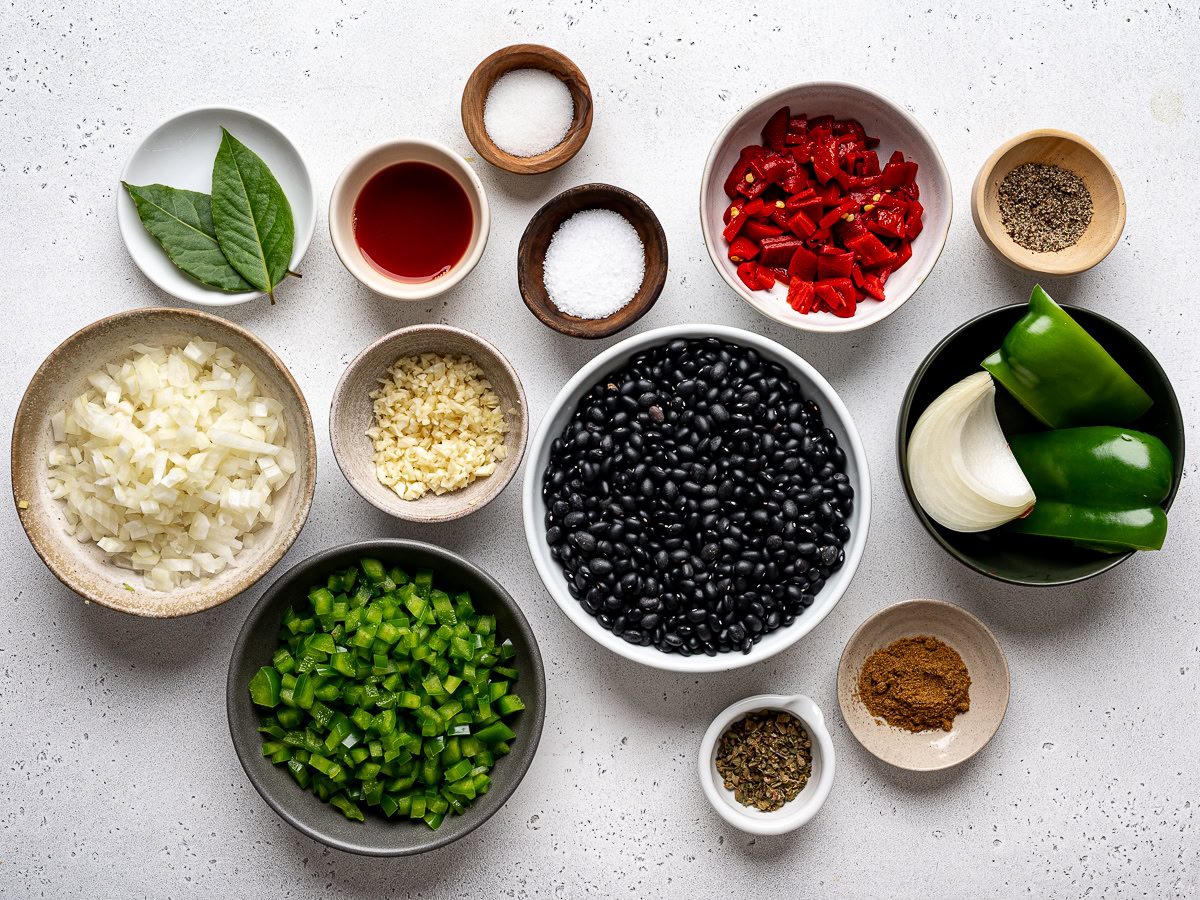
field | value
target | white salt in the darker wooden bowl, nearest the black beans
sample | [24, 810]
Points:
[595, 265]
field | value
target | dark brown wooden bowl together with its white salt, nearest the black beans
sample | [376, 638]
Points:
[592, 262]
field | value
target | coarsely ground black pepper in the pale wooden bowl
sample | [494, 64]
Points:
[1045, 208]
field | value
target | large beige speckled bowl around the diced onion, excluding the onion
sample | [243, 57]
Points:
[63, 377]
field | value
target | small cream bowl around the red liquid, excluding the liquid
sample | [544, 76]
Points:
[365, 167]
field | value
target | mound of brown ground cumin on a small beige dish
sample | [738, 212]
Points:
[916, 683]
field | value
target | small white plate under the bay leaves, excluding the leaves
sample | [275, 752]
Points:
[179, 153]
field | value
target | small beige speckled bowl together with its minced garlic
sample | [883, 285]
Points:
[429, 423]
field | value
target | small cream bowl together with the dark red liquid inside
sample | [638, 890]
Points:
[409, 219]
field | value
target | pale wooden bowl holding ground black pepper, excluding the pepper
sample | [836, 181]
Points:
[995, 237]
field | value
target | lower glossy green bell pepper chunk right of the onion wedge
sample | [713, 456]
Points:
[1100, 487]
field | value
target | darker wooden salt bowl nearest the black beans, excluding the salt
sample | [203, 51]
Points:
[532, 256]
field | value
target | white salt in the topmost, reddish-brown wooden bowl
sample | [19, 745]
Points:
[529, 112]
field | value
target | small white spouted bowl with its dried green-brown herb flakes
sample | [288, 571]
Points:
[767, 763]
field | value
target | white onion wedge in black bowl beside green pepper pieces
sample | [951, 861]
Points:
[959, 464]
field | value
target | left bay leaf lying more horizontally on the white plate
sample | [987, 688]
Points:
[182, 223]
